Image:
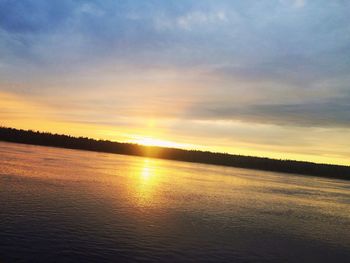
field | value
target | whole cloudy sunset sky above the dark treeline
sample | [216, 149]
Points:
[261, 78]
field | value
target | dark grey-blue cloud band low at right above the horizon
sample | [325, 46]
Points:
[328, 113]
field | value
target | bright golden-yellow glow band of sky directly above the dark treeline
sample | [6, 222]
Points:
[22, 112]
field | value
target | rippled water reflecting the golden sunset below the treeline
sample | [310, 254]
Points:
[59, 205]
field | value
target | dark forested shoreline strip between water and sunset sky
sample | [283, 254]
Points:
[83, 143]
